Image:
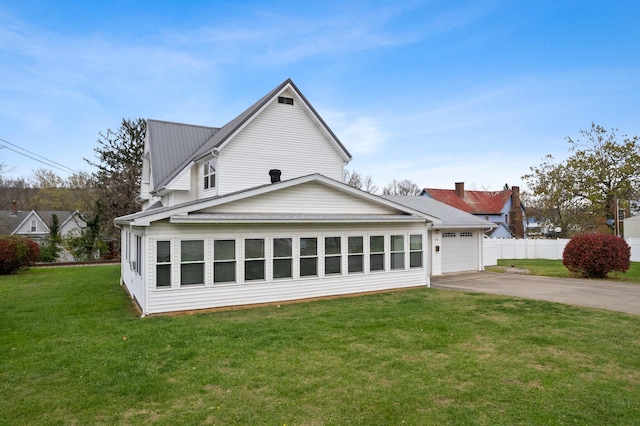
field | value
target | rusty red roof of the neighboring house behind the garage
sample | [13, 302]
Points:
[474, 202]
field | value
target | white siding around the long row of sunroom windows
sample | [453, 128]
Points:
[210, 295]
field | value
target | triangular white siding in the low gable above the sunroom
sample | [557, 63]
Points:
[311, 197]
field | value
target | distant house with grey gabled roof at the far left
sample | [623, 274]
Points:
[36, 224]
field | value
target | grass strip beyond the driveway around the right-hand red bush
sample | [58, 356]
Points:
[555, 268]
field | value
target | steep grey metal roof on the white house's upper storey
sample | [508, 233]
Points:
[182, 144]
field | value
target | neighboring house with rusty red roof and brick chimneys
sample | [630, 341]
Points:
[503, 208]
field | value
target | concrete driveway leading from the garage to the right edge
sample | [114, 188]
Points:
[613, 296]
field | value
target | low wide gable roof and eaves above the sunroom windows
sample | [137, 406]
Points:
[186, 211]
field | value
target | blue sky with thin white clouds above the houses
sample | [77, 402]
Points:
[432, 91]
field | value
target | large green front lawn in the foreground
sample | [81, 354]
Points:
[72, 351]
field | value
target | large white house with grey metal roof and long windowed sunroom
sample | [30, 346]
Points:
[256, 212]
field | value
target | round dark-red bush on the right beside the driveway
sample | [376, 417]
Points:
[595, 255]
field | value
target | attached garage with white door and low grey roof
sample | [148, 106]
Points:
[456, 242]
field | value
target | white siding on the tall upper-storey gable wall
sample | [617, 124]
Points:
[281, 137]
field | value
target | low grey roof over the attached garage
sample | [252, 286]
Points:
[450, 217]
